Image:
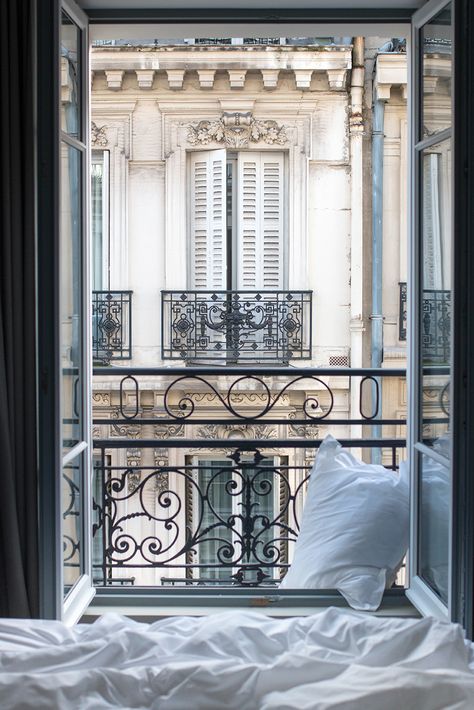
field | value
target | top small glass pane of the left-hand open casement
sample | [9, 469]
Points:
[70, 77]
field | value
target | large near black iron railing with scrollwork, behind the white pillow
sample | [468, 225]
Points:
[200, 473]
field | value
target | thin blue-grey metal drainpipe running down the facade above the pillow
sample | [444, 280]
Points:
[377, 243]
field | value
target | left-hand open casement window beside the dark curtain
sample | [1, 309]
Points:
[65, 450]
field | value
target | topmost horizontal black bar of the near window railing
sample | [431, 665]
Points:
[277, 371]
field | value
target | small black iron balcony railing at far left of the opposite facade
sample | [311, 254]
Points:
[111, 325]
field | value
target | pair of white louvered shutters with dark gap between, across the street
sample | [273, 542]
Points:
[237, 220]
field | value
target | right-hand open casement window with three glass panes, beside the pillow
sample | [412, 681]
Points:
[431, 571]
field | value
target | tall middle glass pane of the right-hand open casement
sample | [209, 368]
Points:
[435, 305]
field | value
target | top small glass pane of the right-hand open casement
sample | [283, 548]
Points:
[437, 73]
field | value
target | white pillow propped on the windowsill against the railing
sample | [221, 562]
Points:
[354, 530]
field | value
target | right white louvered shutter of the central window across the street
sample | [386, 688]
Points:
[260, 220]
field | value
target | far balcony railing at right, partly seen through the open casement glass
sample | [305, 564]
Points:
[436, 323]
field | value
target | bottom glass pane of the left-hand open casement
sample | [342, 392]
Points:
[72, 534]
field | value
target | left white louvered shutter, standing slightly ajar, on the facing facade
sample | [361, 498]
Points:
[208, 220]
